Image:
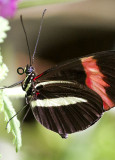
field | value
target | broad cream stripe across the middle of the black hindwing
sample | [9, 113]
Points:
[56, 102]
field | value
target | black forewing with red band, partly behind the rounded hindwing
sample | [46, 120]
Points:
[96, 71]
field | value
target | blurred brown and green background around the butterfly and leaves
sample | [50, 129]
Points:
[70, 30]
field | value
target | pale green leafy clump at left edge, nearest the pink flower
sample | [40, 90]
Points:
[4, 26]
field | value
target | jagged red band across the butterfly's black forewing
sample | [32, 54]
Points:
[94, 80]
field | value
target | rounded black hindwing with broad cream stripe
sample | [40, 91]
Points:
[66, 108]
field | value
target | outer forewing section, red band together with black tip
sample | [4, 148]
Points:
[100, 76]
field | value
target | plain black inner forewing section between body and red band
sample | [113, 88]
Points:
[72, 70]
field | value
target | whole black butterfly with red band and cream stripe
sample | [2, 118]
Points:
[71, 96]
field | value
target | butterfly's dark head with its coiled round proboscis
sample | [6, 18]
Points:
[28, 69]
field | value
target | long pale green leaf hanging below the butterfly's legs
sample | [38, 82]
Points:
[14, 124]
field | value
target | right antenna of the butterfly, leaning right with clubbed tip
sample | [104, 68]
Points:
[38, 35]
